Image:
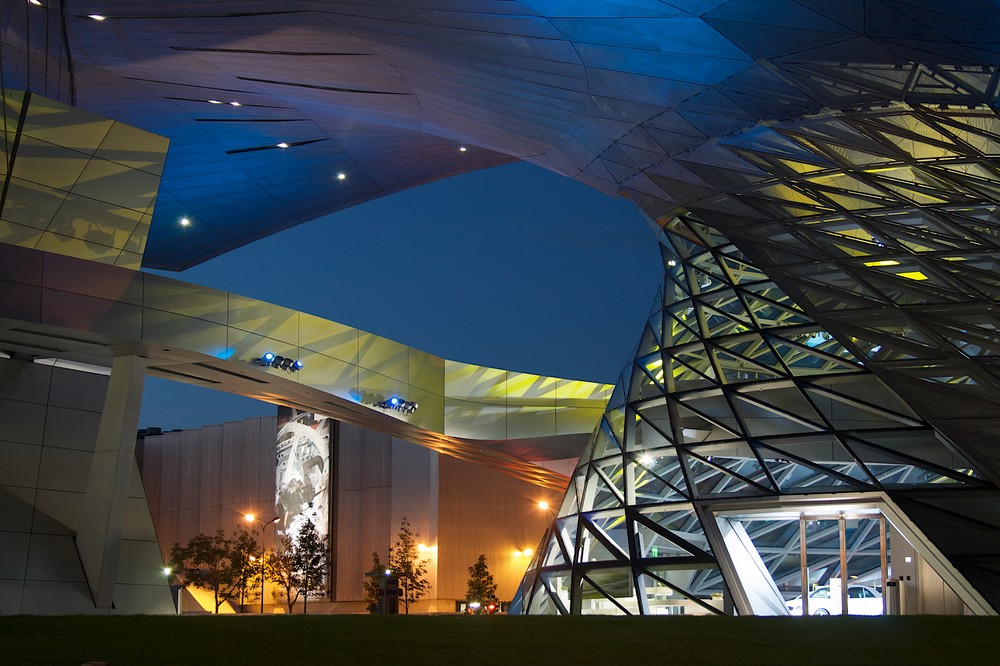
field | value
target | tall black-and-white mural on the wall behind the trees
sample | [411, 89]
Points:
[302, 483]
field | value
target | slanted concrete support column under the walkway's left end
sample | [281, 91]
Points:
[98, 539]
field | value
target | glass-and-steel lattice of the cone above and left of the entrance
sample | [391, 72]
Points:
[734, 392]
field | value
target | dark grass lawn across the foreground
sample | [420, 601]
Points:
[376, 640]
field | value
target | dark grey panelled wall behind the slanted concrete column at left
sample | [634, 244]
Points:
[42, 490]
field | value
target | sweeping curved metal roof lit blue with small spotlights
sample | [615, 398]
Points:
[388, 93]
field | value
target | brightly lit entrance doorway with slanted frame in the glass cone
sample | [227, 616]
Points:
[828, 558]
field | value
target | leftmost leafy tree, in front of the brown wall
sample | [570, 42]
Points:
[207, 562]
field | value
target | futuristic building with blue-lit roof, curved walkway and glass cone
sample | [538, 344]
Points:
[812, 401]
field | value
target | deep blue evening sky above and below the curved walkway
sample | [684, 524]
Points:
[512, 267]
